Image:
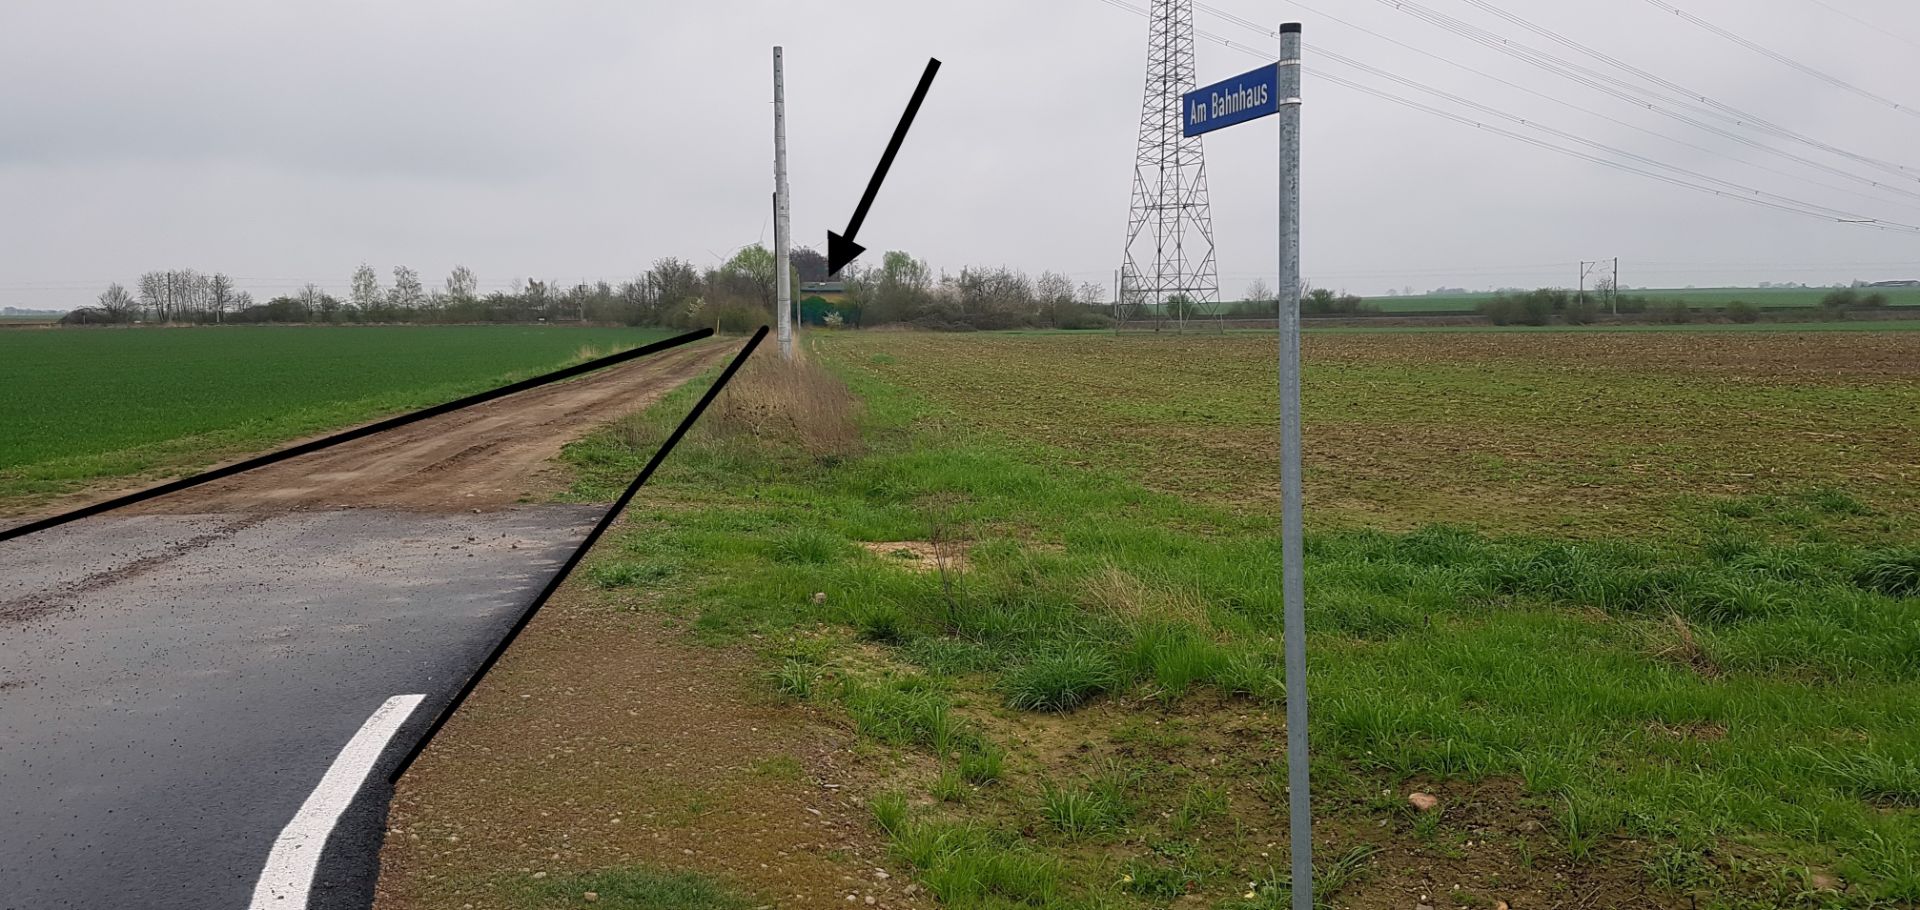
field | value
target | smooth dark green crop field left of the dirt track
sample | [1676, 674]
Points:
[114, 402]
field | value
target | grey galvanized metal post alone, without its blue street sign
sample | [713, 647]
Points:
[1293, 552]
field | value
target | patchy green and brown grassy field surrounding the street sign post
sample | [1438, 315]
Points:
[1641, 610]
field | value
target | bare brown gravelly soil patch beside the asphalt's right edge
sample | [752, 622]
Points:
[604, 740]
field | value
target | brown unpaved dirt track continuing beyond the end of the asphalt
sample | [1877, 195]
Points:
[485, 458]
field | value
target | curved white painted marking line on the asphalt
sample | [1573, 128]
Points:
[297, 853]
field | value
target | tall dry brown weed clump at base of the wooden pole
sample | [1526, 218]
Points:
[796, 404]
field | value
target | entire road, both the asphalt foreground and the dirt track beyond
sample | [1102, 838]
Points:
[203, 696]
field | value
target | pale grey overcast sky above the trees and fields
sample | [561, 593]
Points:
[291, 141]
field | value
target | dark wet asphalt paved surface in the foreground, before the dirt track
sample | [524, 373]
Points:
[174, 688]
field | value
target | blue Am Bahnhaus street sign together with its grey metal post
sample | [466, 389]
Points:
[1237, 101]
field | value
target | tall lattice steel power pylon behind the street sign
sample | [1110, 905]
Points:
[1170, 231]
